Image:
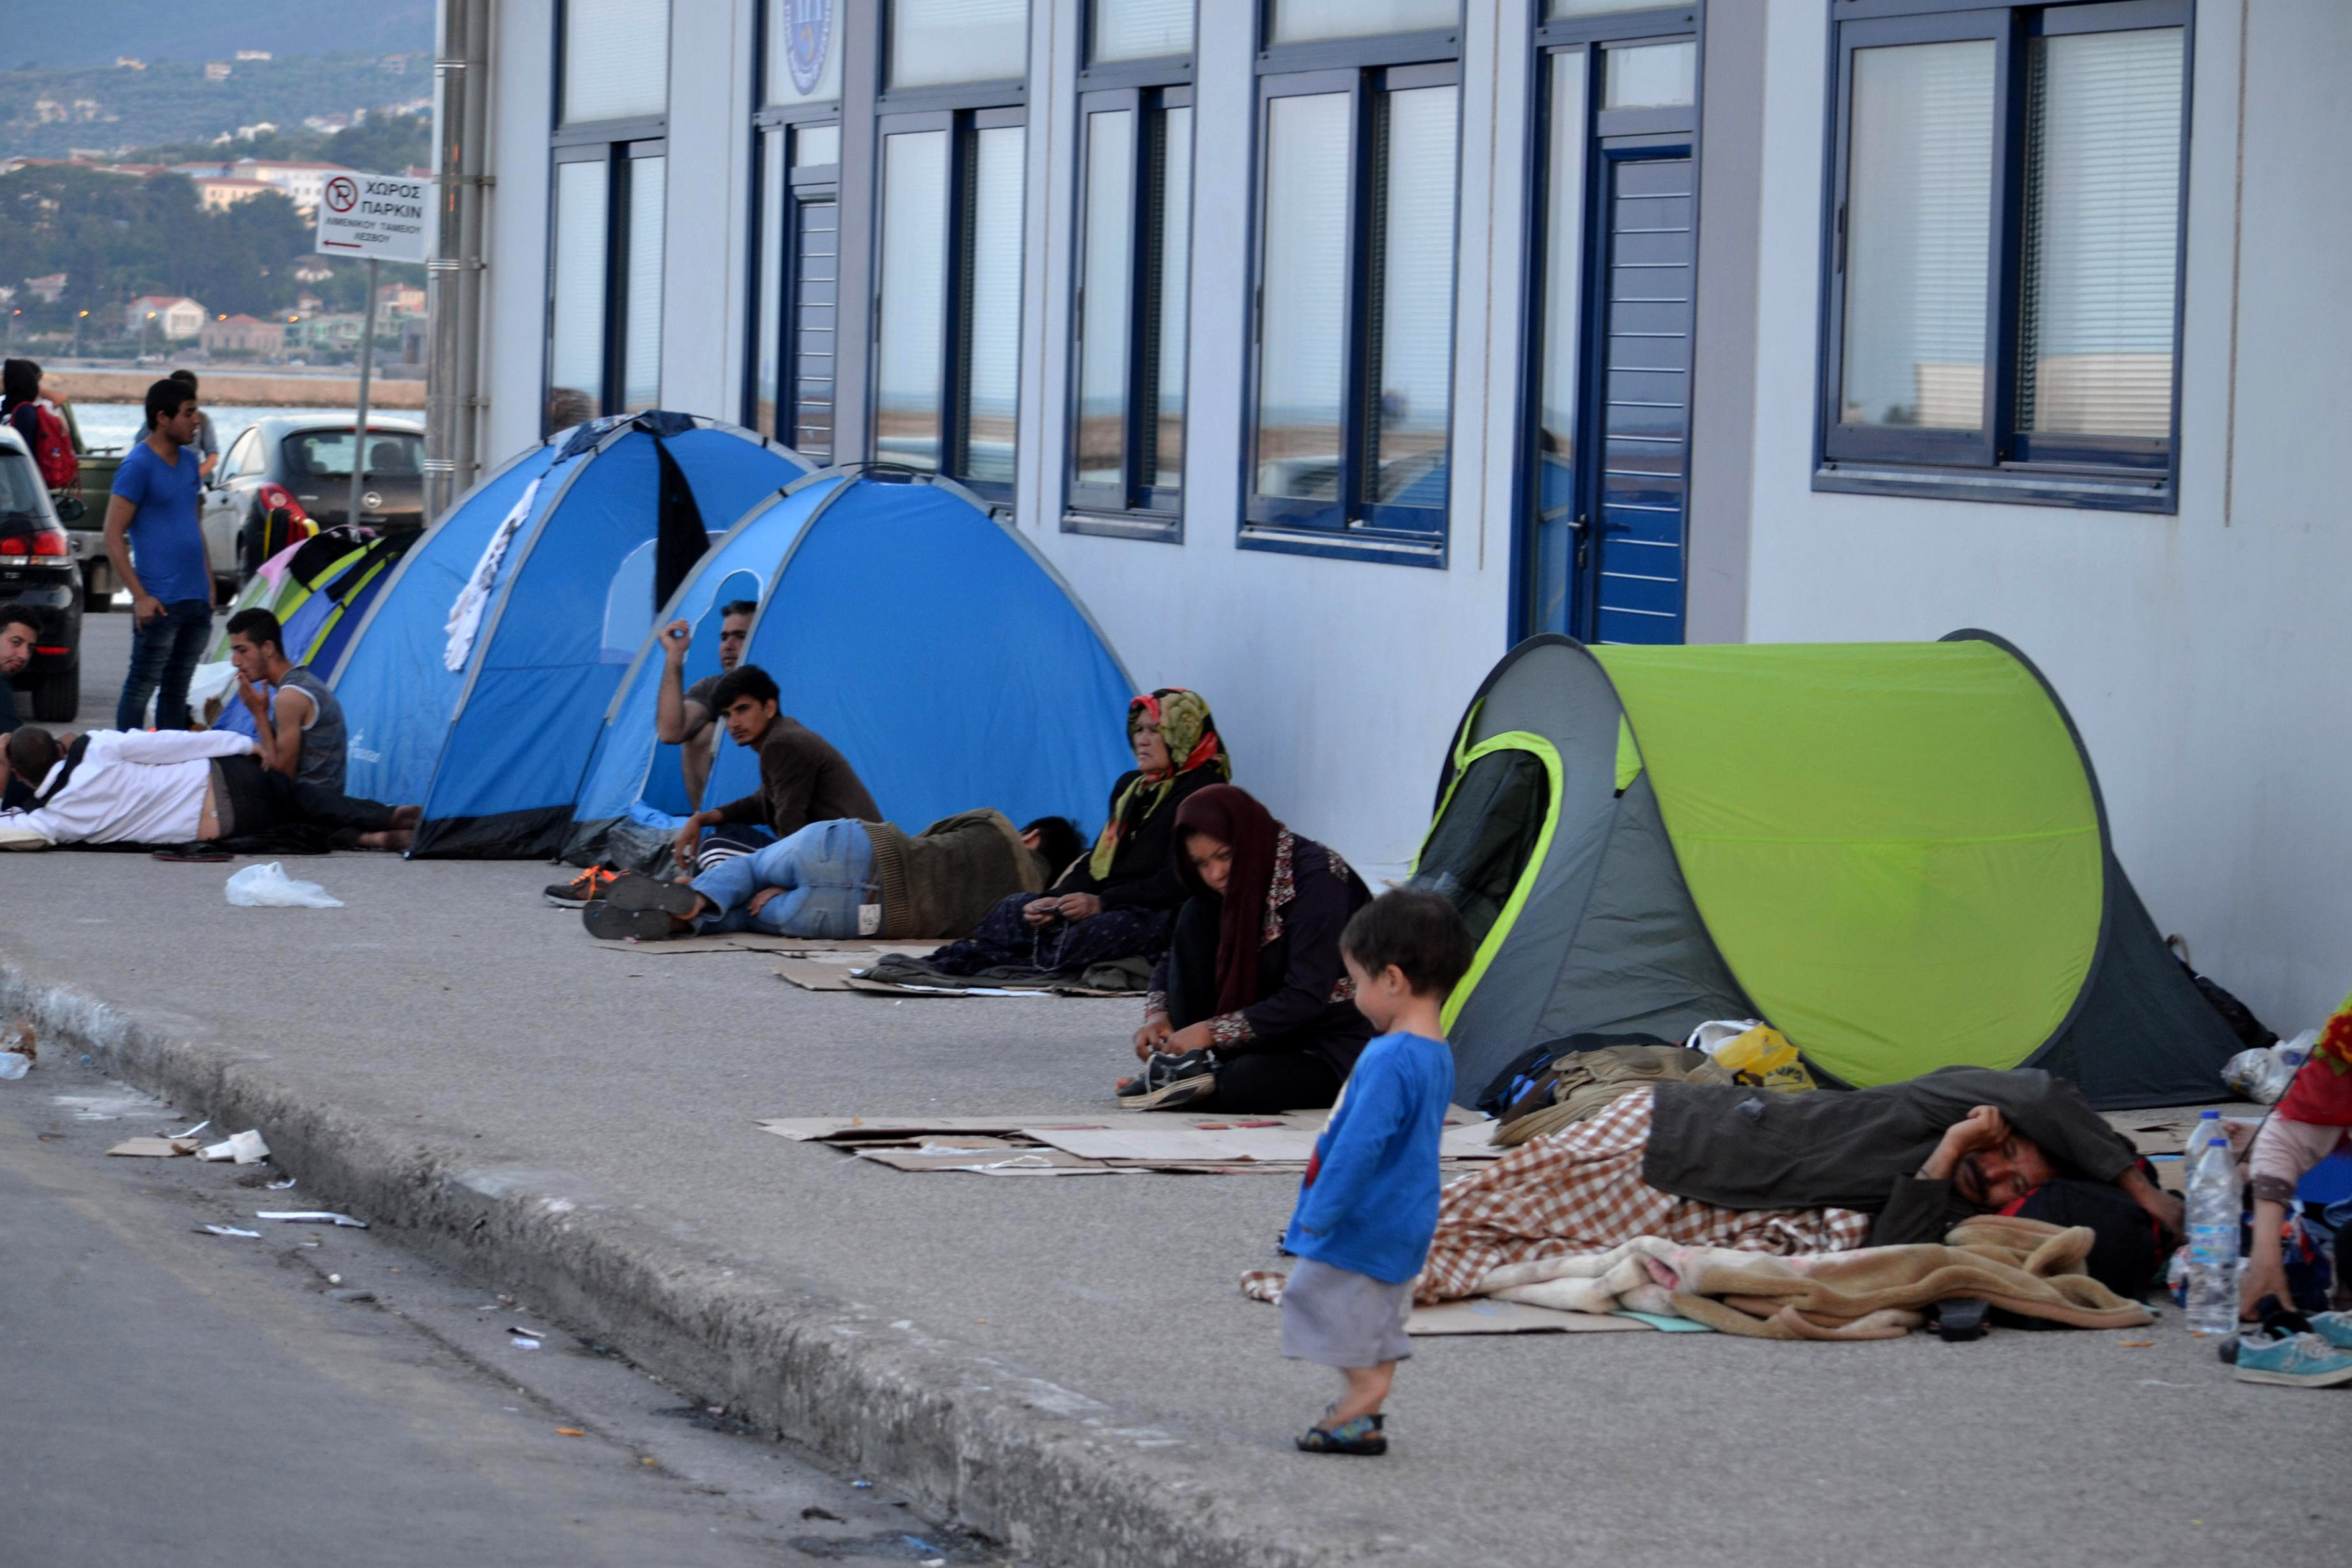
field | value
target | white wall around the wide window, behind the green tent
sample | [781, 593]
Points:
[2203, 655]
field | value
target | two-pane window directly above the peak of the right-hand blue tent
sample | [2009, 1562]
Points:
[949, 300]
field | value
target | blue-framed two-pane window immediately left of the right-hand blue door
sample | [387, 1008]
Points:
[1354, 335]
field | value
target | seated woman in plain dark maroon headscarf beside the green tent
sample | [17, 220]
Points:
[1252, 1007]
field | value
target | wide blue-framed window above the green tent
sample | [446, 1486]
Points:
[2005, 255]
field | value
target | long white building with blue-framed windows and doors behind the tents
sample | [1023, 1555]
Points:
[1328, 347]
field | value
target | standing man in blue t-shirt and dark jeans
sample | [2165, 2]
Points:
[156, 547]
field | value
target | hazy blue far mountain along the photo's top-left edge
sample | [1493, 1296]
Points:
[62, 36]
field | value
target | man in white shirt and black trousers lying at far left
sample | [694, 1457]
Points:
[175, 789]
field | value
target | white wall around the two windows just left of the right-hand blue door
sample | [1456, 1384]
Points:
[1335, 683]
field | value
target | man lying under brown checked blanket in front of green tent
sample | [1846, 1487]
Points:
[1822, 1172]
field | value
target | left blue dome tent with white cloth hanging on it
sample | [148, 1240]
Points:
[561, 551]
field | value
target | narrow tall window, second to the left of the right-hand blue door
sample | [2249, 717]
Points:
[1135, 264]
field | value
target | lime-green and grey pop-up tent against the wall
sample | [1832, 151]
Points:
[1892, 852]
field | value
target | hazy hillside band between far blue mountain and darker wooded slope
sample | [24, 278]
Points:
[51, 112]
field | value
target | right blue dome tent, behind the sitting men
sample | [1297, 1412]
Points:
[921, 636]
